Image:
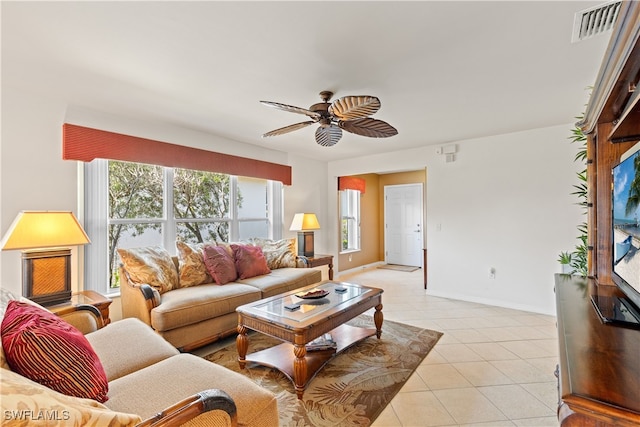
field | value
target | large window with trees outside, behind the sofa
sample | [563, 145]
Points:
[132, 205]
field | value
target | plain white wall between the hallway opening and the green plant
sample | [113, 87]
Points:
[504, 203]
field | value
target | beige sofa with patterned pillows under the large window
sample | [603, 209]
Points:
[190, 316]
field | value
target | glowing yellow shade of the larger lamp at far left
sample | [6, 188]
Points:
[44, 229]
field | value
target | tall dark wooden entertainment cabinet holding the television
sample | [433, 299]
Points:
[599, 365]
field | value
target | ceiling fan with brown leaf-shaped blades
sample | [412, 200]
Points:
[349, 113]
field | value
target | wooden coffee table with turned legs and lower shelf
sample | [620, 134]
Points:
[298, 327]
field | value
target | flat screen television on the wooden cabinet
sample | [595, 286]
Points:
[626, 237]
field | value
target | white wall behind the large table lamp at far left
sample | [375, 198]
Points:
[33, 175]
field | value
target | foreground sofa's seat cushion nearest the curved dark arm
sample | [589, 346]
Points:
[178, 377]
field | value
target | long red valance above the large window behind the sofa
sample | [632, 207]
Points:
[86, 144]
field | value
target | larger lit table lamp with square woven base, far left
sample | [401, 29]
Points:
[43, 237]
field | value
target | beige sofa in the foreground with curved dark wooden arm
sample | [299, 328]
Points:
[148, 379]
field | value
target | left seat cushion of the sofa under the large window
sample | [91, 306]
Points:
[186, 306]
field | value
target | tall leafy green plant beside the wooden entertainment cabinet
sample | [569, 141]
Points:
[577, 259]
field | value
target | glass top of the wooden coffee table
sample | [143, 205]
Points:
[296, 308]
